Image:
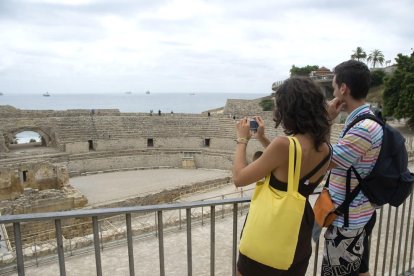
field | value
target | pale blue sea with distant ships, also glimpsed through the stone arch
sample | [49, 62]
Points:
[125, 102]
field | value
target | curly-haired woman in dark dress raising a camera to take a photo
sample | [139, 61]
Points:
[301, 110]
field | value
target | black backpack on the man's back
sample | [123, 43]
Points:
[390, 181]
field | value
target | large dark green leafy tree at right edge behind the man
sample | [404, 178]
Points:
[398, 95]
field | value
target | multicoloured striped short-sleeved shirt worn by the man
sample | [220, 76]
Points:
[360, 148]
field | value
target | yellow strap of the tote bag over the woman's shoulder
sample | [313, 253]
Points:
[295, 150]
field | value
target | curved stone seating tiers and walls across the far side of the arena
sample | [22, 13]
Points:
[118, 142]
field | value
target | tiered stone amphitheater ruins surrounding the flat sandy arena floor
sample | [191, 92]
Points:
[36, 178]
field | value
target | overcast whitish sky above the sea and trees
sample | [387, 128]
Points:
[242, 46]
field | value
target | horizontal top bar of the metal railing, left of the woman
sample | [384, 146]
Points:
[116, 211]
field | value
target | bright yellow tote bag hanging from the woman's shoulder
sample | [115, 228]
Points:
[271, 232]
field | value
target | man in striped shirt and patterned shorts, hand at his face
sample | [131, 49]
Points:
[346, 240]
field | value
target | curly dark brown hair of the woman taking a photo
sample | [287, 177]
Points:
[301, 109]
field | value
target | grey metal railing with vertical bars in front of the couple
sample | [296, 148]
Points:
[391, 244]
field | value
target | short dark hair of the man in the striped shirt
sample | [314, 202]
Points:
[356, 75]
